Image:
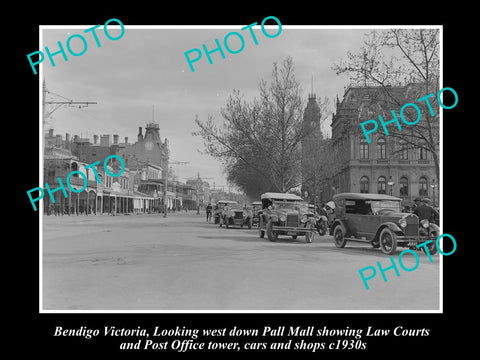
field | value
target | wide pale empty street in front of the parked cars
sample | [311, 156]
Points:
[181, 262]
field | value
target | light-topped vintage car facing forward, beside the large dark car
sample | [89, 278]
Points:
[285, 214]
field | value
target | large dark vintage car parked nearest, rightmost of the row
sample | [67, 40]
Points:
[378, 220]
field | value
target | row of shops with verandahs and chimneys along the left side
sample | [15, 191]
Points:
[139, 189]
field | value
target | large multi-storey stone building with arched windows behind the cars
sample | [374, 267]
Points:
[387, 164]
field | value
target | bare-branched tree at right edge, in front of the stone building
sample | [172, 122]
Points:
[397, 57]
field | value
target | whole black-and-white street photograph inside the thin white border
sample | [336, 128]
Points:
[245, 183]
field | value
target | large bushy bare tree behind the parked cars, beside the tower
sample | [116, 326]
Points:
[260, 138]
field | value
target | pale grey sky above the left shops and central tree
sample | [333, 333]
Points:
[144, 76]
